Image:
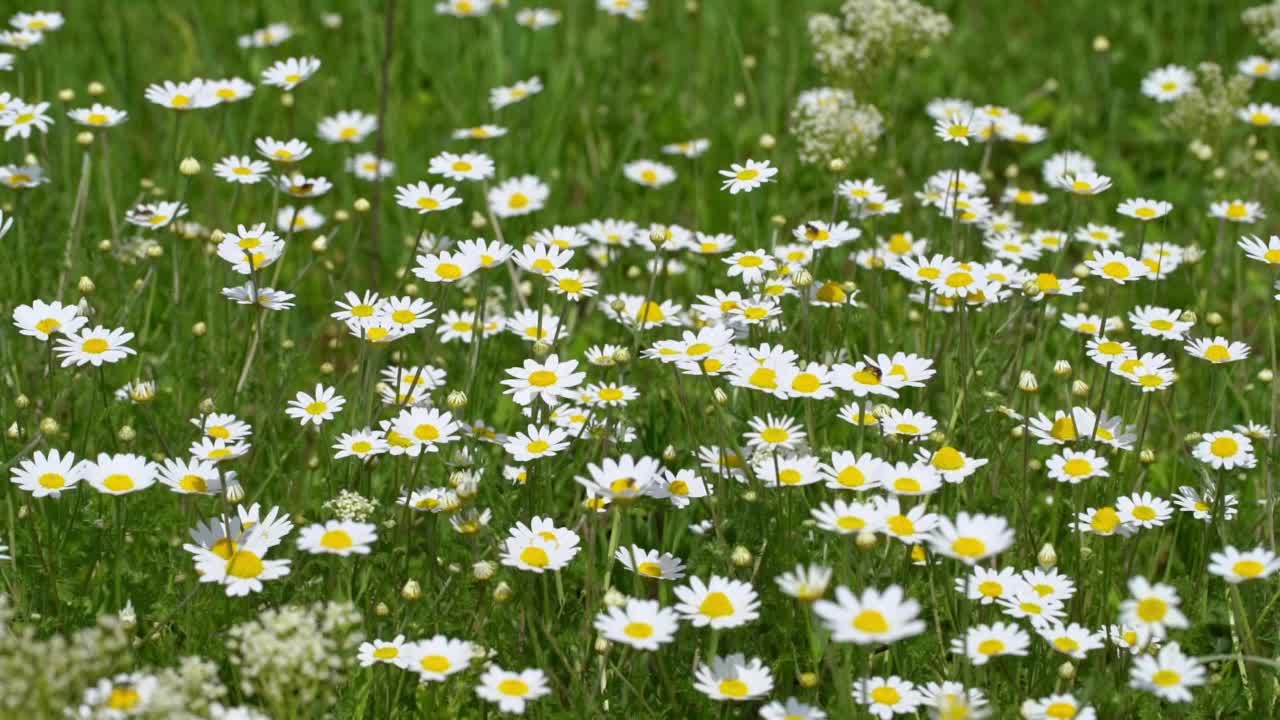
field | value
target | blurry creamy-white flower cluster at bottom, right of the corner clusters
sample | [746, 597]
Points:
[292, 659]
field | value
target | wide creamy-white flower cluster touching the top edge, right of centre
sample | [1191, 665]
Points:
[872, 35]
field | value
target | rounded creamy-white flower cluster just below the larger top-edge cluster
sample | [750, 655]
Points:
[830, 125]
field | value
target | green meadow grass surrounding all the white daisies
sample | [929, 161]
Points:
[616, 92]
